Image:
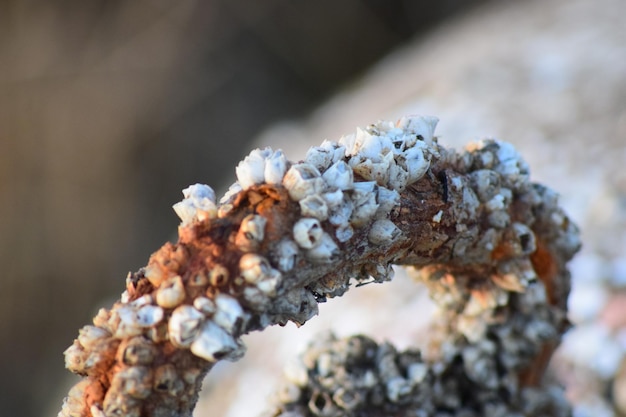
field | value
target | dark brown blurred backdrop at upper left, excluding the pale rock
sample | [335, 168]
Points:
[108, 109]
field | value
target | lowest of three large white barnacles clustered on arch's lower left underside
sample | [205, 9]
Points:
[214, 343]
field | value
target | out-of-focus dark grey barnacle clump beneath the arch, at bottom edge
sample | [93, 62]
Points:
[356, 376]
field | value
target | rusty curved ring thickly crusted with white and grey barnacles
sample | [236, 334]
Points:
[490, 245]
